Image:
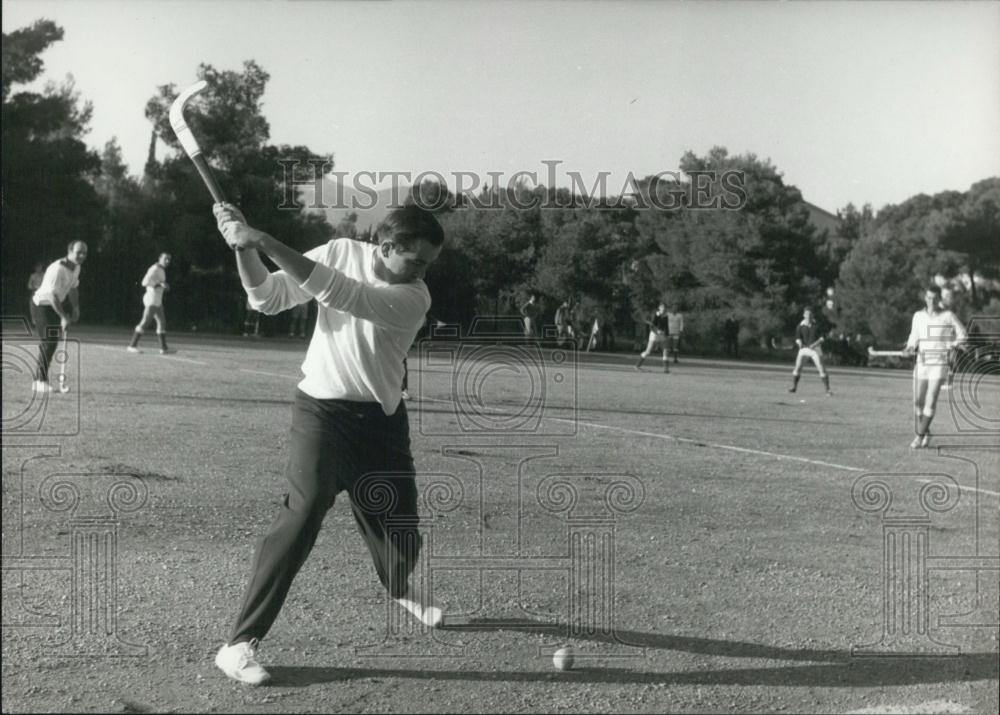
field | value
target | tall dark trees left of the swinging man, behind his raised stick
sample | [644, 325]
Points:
[57, 190]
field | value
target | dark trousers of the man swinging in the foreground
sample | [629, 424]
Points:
[337, 445]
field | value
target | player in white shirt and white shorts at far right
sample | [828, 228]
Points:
[934, 332]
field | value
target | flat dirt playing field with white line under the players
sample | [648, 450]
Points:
[704, 540]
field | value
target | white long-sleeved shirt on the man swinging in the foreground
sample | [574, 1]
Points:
[364, 327]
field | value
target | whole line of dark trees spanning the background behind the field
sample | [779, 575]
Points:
[759, 265]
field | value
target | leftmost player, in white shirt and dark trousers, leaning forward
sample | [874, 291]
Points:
[58, 304]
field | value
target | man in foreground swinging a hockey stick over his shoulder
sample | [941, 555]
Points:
[350, 430]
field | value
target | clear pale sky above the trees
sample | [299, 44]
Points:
[853, 102]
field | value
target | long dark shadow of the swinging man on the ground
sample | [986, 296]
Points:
[826, 668]
